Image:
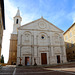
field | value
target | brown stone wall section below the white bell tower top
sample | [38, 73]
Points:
[13, 49]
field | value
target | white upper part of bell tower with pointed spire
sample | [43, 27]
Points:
[17, 22]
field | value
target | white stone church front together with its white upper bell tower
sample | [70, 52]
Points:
[39, 42]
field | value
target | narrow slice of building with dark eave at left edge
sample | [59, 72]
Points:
[2, 23]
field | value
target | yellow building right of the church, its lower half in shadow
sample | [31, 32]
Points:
[69, 38]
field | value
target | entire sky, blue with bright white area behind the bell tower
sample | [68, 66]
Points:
[59, 12]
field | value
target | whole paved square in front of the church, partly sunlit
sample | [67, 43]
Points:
[53, 70]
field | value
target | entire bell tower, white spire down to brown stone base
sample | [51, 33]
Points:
[13, 39]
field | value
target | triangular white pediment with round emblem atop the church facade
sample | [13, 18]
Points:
[40, 24]
